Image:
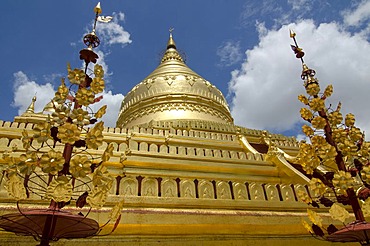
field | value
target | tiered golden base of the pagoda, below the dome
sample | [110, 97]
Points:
[190, 179]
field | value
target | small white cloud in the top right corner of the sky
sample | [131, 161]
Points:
[357, 16]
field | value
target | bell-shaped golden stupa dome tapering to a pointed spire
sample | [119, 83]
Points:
[171, 92]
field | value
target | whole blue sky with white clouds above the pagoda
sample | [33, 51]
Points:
[242, 47]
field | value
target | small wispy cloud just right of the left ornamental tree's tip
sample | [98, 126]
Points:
[113, 32]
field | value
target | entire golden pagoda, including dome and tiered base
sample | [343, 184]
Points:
[186, 173]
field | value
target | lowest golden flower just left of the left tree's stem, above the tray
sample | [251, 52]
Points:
[59, 189]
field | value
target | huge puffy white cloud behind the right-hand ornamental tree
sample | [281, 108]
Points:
[267, 84]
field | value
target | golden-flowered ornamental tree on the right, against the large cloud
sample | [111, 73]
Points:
[337, 161]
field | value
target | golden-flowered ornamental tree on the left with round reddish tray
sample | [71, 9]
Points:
[59, 165]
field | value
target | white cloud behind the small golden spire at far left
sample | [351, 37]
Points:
[25, 89]
